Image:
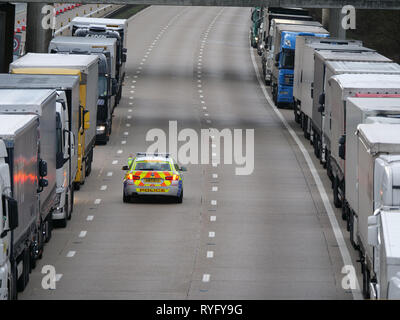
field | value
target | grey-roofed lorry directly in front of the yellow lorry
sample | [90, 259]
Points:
[67, 127]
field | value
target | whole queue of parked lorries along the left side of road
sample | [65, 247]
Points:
[54, 109]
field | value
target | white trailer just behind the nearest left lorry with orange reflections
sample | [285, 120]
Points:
[43, 104]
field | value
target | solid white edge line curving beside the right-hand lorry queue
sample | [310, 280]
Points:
[321, 189]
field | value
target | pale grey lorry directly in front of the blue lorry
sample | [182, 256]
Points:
[304, 74]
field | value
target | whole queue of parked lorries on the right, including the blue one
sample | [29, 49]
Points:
[346, 98]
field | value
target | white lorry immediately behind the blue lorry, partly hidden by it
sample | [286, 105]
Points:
[267, 58]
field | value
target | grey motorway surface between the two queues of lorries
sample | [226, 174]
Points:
[266, 235]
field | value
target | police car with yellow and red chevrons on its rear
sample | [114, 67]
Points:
[153, 174]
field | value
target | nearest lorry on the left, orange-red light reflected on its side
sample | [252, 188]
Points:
[19, 173]
